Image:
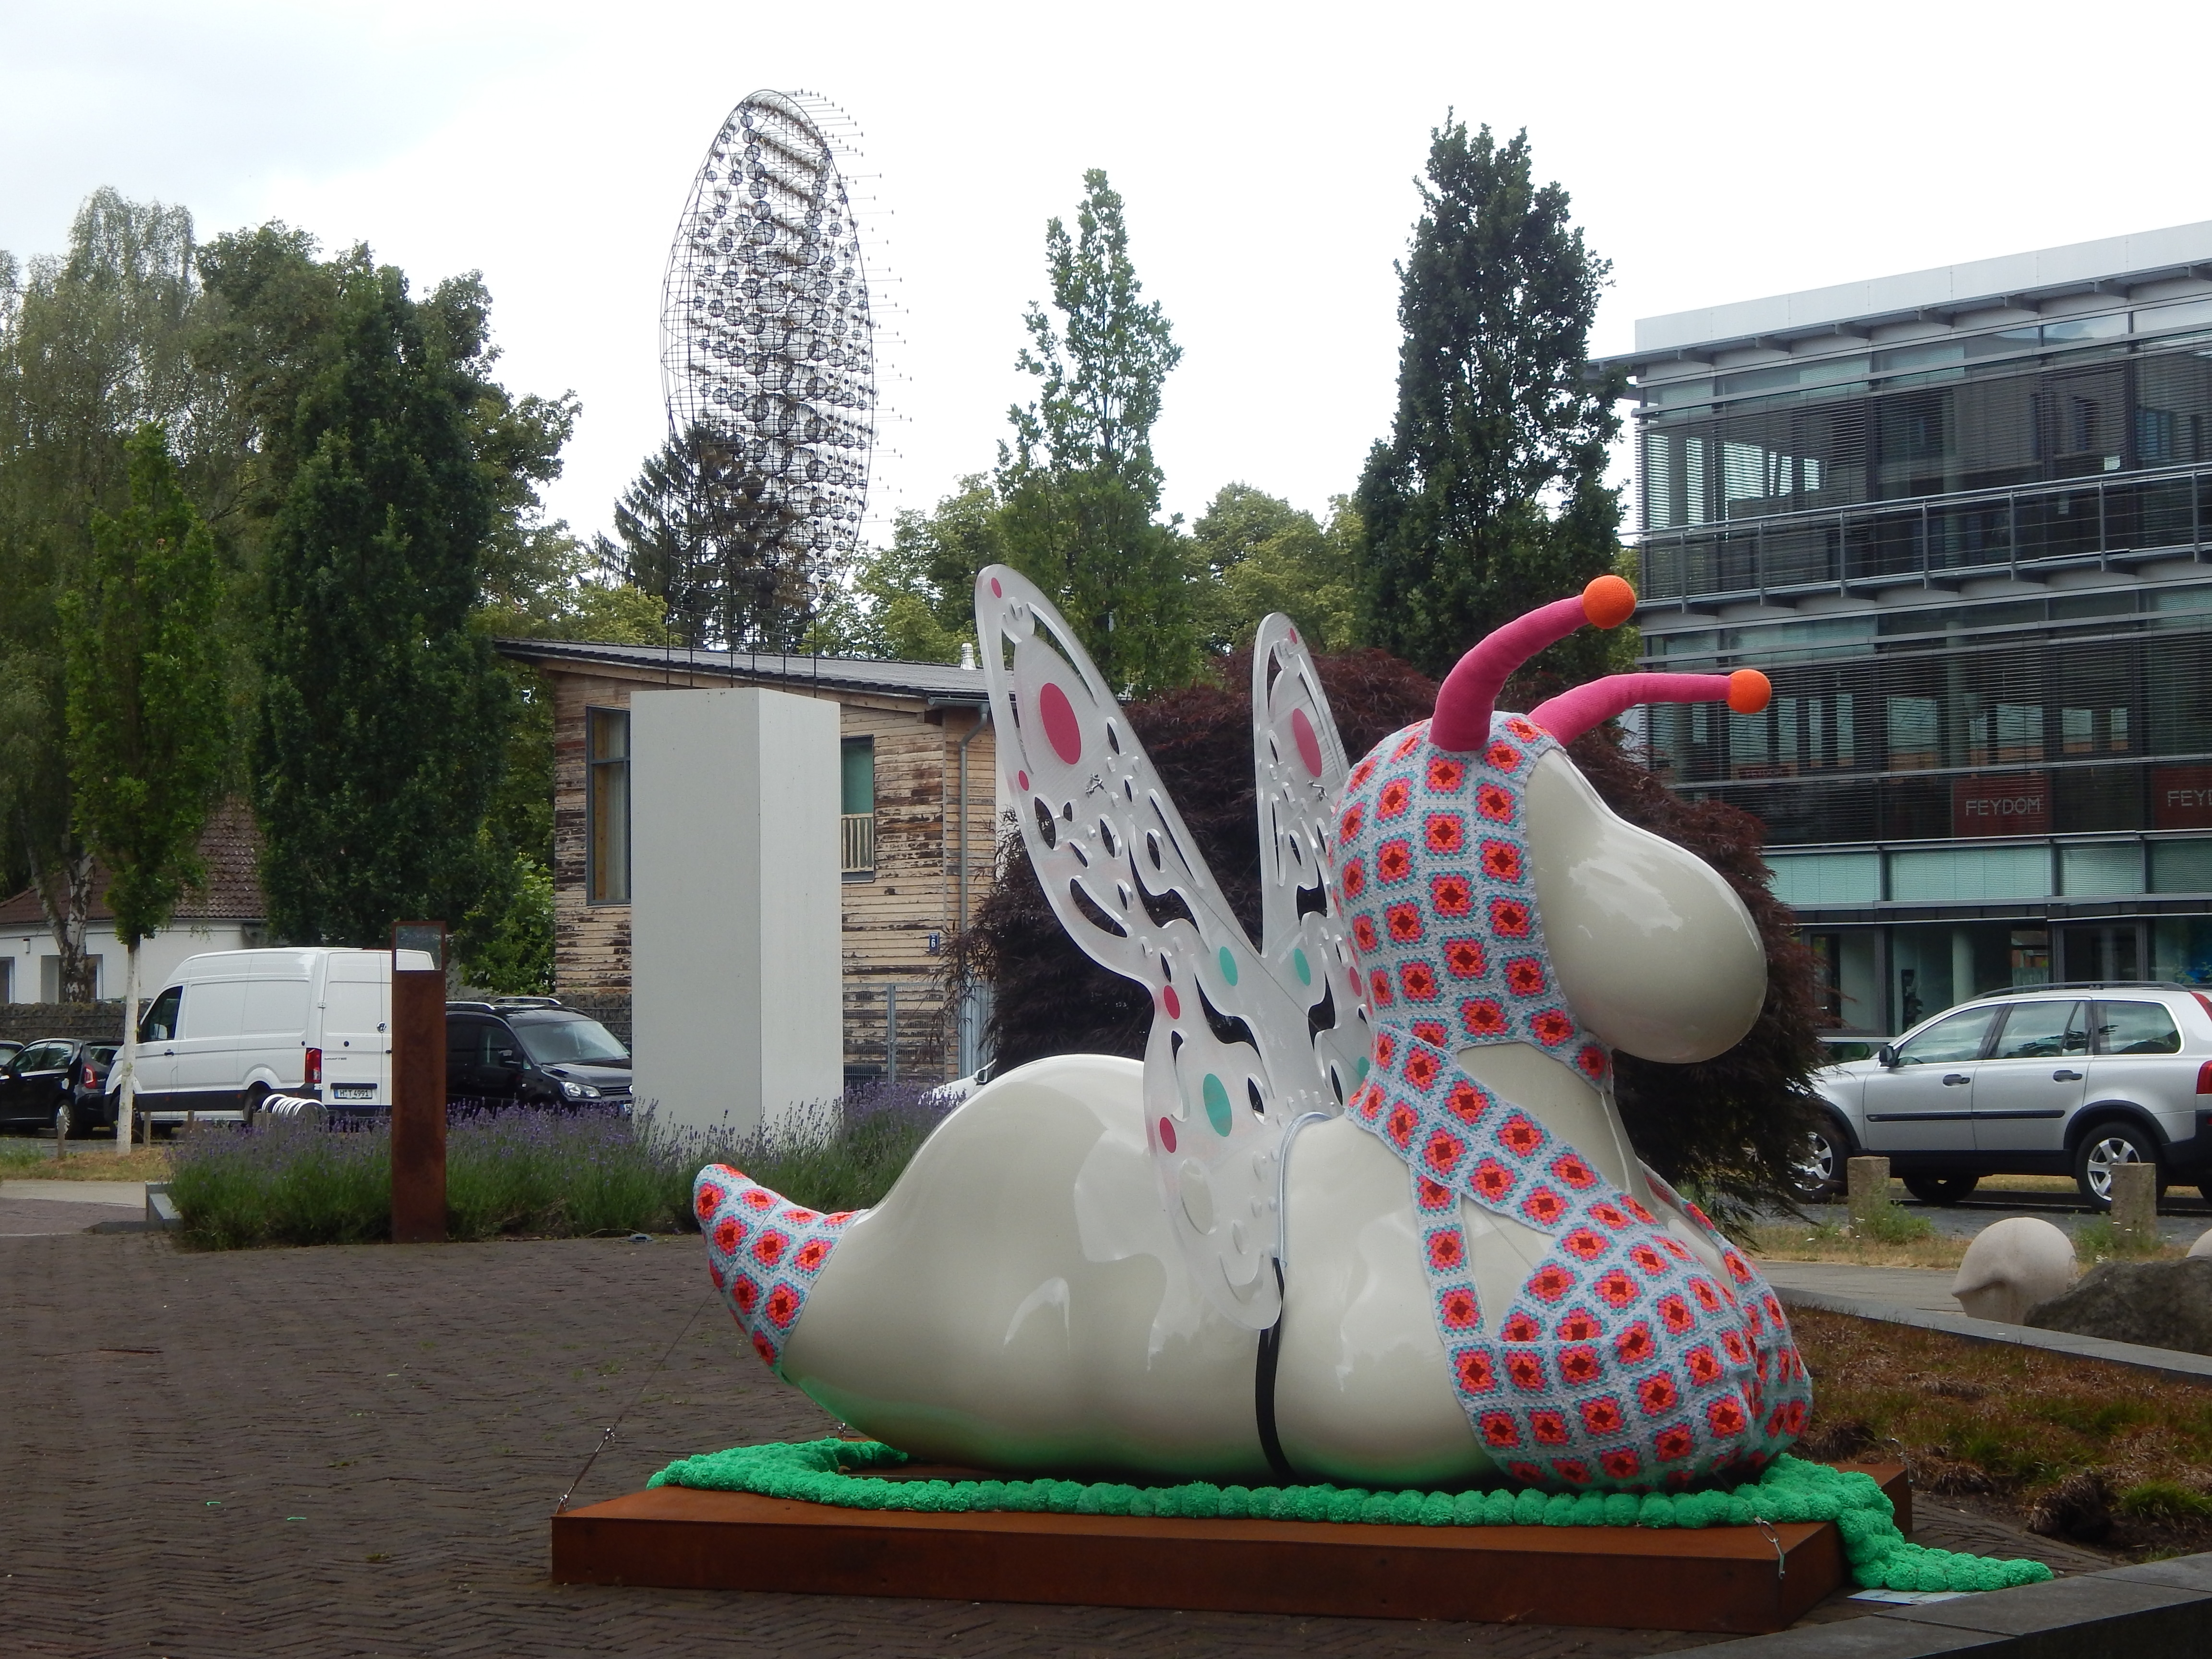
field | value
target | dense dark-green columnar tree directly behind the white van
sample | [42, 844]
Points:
[384, 716]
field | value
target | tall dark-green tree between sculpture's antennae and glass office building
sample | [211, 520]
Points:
[1492, 490]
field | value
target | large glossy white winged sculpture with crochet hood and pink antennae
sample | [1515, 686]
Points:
[1366, 1211]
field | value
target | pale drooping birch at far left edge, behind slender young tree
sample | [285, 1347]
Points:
[92, 346]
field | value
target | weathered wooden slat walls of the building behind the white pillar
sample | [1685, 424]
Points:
[888, 921]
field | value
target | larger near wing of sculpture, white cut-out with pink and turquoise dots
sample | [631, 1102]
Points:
[1229, 1063]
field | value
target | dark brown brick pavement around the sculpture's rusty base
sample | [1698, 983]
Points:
[355, 1452]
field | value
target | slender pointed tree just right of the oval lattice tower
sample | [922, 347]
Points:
[1078, 486]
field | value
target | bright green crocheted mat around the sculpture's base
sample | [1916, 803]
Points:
[1791, 1490]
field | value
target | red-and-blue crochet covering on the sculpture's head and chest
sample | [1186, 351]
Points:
[1623, 1364]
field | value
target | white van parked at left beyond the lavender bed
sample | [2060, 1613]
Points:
[233, 1027]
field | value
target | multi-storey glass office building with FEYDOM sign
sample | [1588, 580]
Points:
[1963, 519]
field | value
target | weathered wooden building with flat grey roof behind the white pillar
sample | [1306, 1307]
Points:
[917, 831]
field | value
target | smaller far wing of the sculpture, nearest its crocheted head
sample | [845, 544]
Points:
[1300, 780]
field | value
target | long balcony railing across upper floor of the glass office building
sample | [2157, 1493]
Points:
[1939, 541]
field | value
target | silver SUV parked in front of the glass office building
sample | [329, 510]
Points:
[2047, 1081]
